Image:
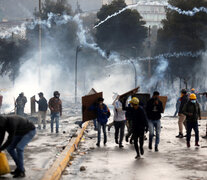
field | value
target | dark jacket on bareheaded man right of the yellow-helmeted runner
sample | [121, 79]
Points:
[154, 110]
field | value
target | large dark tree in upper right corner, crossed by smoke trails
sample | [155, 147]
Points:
[181, 33]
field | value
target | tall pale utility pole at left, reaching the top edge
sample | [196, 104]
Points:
[40, 43]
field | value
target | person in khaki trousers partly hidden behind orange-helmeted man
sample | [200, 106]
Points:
[181, 116]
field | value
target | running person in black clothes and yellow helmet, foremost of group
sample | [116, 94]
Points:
[139, 124]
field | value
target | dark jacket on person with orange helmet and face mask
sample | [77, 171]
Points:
[193, 108]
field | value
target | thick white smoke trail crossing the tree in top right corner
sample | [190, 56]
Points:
[189, 12]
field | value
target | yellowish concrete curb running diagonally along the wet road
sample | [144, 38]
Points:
[55, 171]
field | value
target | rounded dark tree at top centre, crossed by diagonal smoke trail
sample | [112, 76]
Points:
[122, 32]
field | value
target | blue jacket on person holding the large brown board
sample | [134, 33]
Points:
[102, 116]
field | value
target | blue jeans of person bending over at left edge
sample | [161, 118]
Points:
[16, 148]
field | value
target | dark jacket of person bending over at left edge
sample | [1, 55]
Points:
[14, 126]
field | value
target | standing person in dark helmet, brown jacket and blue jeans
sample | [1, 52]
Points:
[55, 106]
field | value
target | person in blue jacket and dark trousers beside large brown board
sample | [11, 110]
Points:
[103, 114]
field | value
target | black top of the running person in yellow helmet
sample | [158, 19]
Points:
[139, 119]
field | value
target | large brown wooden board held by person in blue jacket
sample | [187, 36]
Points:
[87, 101]
